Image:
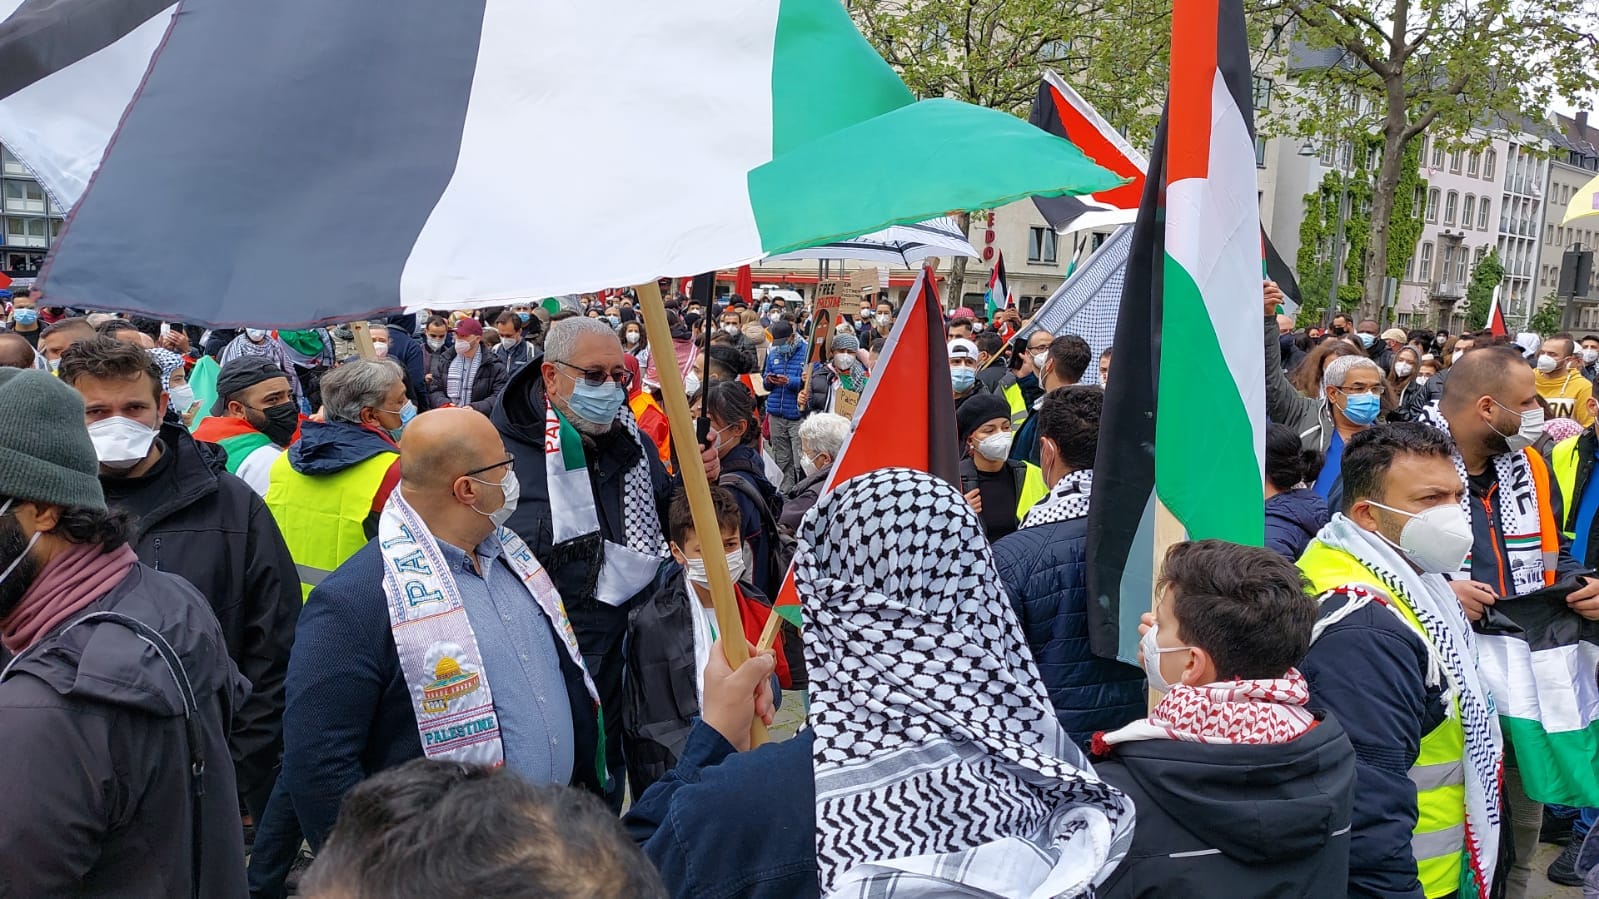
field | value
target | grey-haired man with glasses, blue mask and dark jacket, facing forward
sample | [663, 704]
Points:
[594, 495]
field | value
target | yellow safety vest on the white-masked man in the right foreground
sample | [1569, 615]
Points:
[1440, 775]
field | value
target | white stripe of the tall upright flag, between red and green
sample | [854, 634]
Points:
[1213, 231]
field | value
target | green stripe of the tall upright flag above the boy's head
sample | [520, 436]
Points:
[1206, 469]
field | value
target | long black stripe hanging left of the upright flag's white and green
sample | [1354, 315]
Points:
[1122, 519]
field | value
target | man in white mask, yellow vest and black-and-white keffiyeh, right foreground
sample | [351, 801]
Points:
[1394, 658]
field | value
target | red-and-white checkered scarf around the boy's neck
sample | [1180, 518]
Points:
[1227, 713]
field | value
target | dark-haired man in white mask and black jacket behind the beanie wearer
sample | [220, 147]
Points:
[189, 516]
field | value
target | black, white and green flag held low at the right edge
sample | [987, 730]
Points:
[1541, 660]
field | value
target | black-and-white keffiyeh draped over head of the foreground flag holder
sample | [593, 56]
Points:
[939, 762]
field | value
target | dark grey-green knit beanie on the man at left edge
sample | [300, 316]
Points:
[46, 449]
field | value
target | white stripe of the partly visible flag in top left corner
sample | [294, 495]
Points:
[62, 124]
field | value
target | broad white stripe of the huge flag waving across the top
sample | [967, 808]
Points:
[559, 63]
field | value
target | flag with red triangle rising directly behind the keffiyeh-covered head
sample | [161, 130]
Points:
[914, 423]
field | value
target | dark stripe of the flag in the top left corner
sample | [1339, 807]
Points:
[42, 38]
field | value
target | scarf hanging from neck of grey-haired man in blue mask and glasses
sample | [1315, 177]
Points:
[624, 569]
